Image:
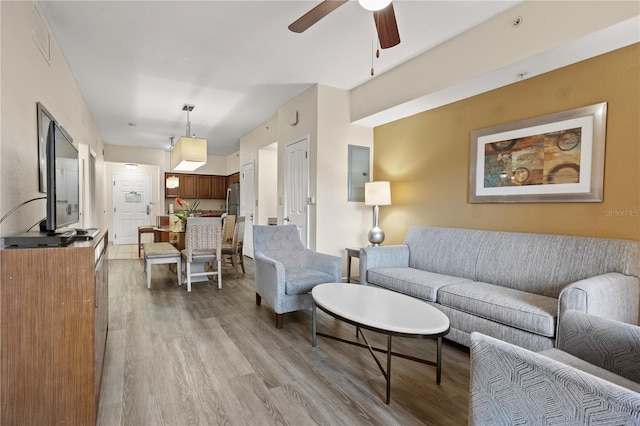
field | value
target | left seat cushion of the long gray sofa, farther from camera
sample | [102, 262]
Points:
[413, 282]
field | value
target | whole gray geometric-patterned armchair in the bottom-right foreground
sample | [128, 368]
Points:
[592, 377]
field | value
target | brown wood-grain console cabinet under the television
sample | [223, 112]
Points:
[54, 315]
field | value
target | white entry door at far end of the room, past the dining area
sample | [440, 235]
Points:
[131, 206]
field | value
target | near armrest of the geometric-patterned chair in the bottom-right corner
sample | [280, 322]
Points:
[512, 385]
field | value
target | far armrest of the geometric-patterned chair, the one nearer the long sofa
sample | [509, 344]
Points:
[609, 344]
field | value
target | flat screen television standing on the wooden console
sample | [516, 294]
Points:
[63, 172]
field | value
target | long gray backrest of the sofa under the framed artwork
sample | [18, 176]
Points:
[536, 263]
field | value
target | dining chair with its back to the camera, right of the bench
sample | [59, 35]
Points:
[203, 243]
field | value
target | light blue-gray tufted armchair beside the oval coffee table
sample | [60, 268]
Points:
[285, 271]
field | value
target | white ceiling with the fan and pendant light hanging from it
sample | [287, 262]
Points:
[236, 61]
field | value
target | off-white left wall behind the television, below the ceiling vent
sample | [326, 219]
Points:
[26, 78]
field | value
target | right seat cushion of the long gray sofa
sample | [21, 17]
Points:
[527, 311]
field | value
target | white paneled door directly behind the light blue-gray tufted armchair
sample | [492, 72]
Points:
[296, 187]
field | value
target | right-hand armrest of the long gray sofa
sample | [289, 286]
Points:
[612, 295]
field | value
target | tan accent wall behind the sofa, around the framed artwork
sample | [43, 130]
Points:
[426, 156]
